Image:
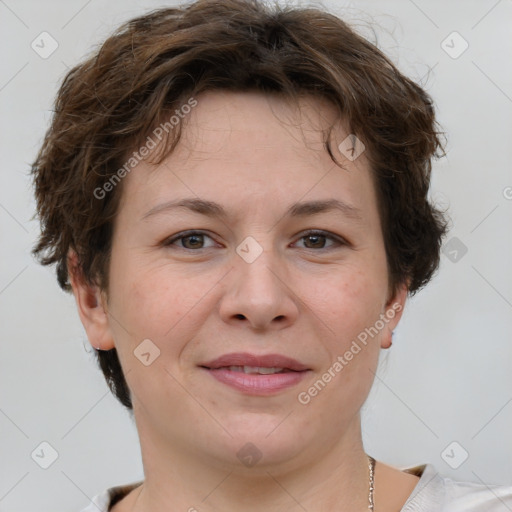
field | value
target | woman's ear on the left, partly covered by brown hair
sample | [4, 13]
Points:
[92, 306]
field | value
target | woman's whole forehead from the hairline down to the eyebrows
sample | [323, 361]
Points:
[251, 146]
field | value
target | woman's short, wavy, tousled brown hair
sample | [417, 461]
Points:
[109, 103]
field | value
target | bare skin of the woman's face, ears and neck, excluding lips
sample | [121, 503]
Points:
[196, 299]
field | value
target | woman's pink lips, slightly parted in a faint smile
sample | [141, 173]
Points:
[256, 384]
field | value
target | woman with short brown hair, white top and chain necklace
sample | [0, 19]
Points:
[237, 197]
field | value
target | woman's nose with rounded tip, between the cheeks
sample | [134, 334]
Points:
[258, 295]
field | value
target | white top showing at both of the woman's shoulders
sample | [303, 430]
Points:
[433, 493]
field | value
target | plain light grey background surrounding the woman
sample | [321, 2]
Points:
[447, 377]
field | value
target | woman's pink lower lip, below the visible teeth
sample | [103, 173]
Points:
[257, 384]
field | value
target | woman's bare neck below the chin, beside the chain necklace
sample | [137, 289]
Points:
[179, 479]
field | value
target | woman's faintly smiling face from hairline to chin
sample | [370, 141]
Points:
[200, 293]
